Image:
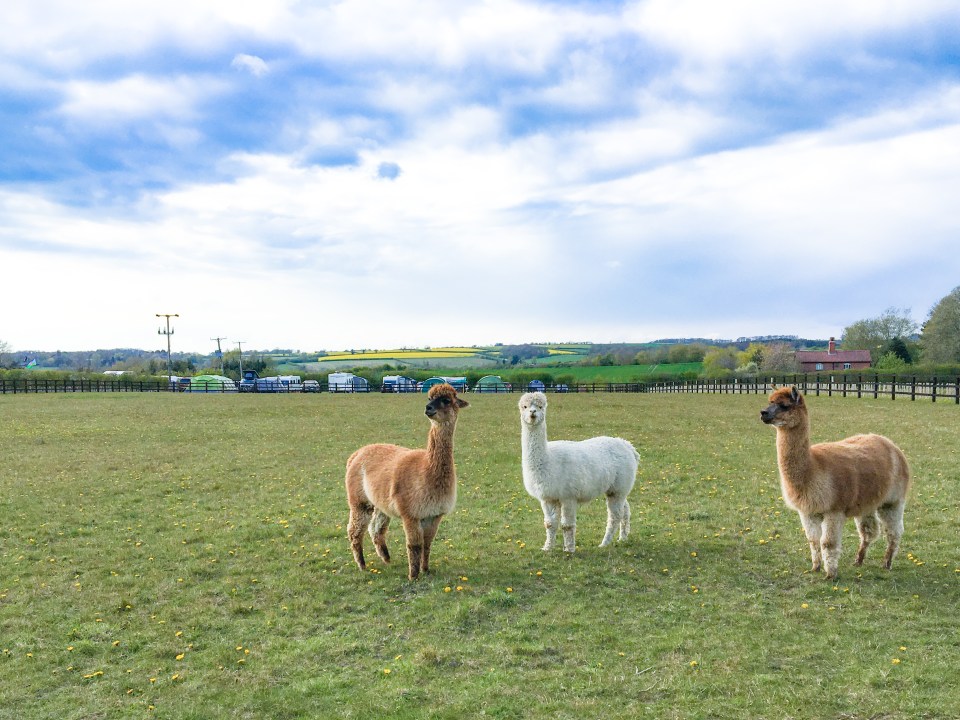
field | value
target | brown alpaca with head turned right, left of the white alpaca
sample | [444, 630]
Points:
[417, 486]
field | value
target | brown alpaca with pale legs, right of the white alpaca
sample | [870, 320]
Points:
[865, 477]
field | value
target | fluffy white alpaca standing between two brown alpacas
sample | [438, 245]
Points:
[562, 473]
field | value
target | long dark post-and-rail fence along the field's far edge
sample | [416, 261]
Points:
[892, 387]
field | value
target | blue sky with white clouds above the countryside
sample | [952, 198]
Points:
[318, 175]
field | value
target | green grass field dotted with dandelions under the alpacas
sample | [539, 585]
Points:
[177, 556]
